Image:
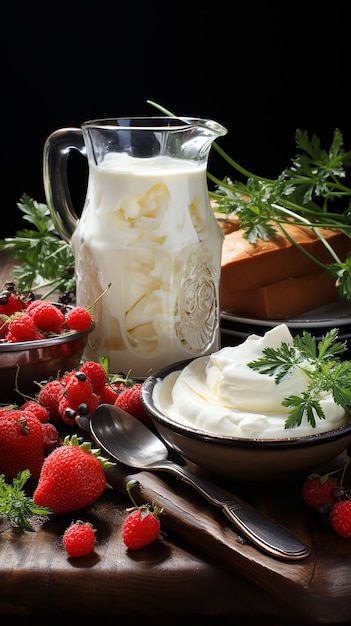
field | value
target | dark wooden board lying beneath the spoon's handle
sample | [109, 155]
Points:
[315, 589]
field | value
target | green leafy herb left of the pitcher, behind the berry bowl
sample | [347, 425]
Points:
[45, 262]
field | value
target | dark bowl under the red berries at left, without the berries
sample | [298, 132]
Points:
[35, 361]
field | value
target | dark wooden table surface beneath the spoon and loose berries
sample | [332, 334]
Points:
[200, 568]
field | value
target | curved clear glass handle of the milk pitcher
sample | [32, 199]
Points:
[57, 149]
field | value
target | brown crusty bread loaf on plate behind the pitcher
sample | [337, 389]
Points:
[274, 279]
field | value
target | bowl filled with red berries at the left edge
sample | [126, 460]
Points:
[38, 340]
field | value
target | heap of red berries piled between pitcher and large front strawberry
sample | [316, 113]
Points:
[29, 432]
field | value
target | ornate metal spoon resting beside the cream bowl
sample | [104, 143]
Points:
[128, 441]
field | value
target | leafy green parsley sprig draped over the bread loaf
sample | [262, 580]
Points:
[311, 192]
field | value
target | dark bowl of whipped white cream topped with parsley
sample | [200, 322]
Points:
[271, 409]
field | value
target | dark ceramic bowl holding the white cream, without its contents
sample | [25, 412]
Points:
[244, 460]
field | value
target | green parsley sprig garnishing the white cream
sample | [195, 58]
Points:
[323, 367]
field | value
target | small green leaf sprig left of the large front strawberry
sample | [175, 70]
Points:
[16, 505]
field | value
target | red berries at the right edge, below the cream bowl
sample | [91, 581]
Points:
[328, 495]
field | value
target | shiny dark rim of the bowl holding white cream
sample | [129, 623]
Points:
[223, 440]
